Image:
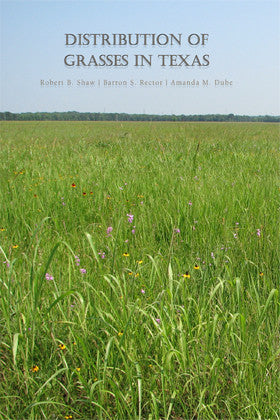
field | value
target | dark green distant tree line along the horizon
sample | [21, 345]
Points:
[103, 116]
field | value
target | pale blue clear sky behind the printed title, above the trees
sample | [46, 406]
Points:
[243, 48]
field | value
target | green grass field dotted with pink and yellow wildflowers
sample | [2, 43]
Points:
[139, 270]
